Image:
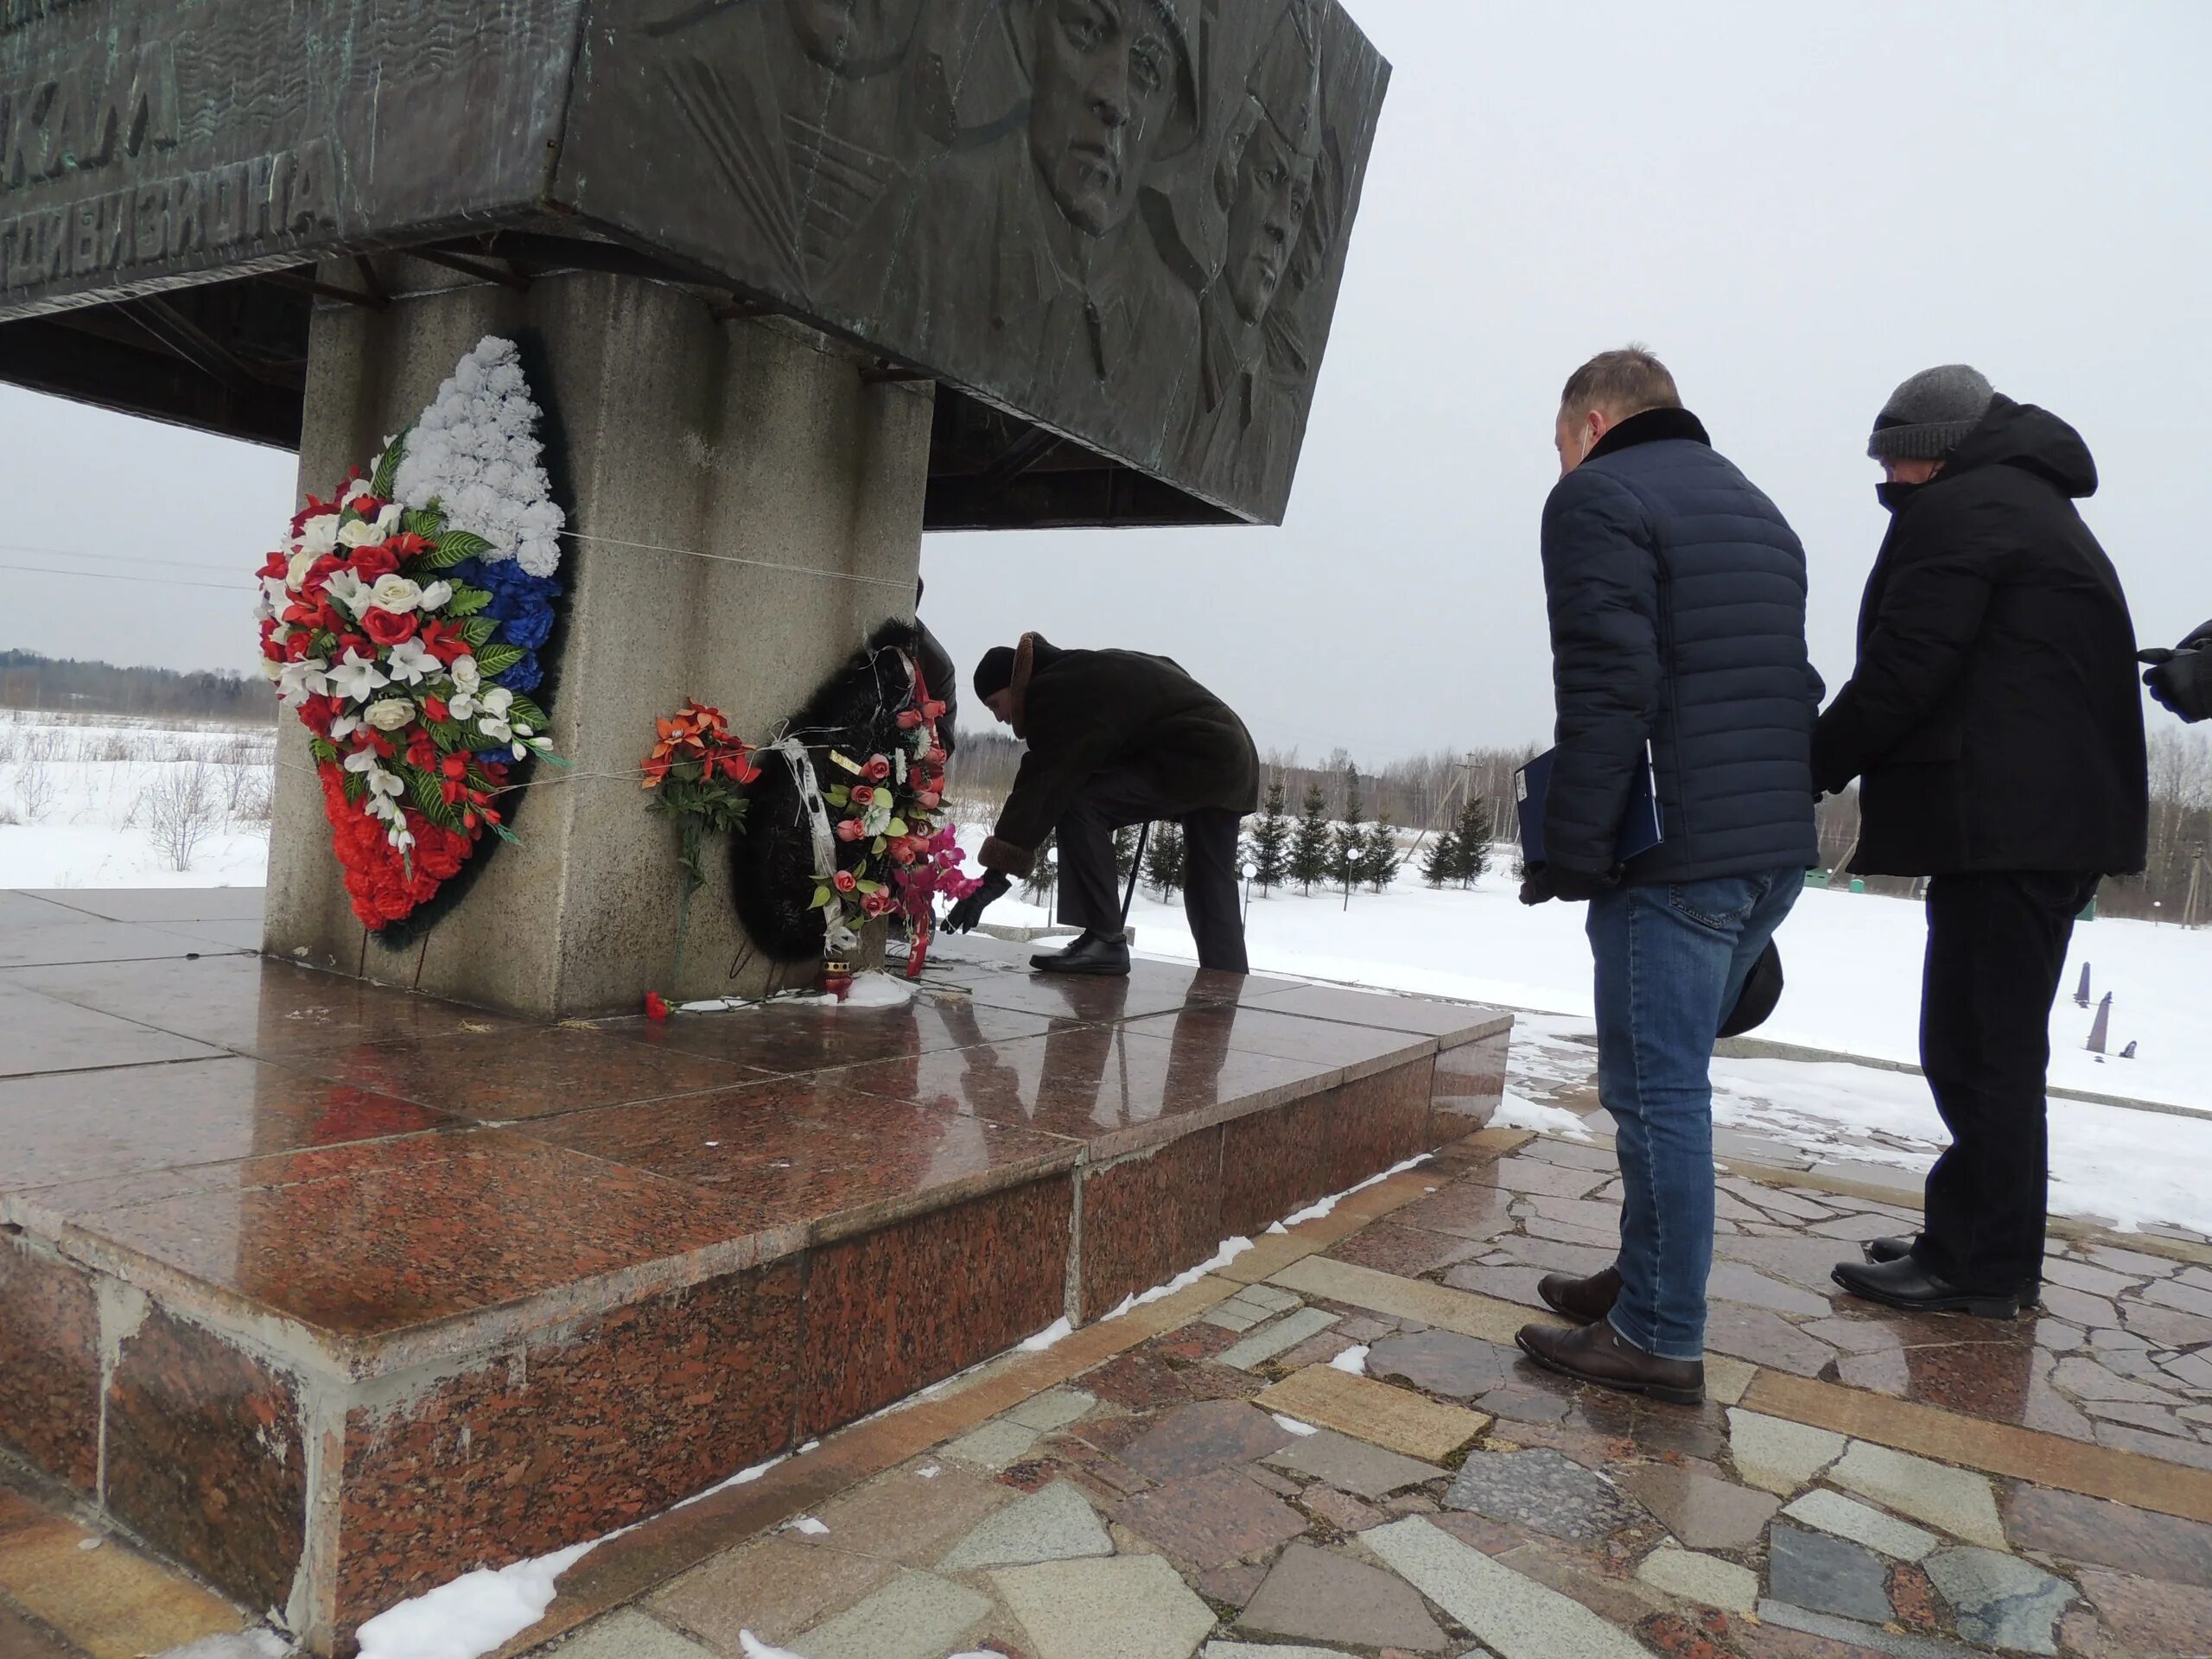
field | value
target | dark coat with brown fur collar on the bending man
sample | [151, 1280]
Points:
[1089, 711]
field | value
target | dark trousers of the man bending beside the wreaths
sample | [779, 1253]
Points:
[1092, 890]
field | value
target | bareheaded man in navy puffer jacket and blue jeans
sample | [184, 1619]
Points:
[1678, 629]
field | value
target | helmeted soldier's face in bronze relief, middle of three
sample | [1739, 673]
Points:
[1107, 83]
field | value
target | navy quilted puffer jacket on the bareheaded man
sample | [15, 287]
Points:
[1678, 618]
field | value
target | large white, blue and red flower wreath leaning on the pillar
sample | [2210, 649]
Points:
[404, 623]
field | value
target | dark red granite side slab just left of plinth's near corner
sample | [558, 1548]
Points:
[207, 1457]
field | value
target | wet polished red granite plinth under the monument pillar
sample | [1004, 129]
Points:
[333, 1291]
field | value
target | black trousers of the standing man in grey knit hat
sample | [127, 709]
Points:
[1996, 957]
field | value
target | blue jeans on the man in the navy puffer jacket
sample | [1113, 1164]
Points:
[1671, 963]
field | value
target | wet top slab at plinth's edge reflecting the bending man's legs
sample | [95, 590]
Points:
[1103, 1085]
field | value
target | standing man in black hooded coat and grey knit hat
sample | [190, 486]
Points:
[1999, 738]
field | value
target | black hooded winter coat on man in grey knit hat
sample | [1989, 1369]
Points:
[1994, 716]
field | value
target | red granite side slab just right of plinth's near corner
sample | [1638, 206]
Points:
[565, 1437]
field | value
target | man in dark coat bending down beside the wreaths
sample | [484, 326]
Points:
[1116, 738]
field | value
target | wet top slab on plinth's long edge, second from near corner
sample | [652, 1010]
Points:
[800, 1160]
